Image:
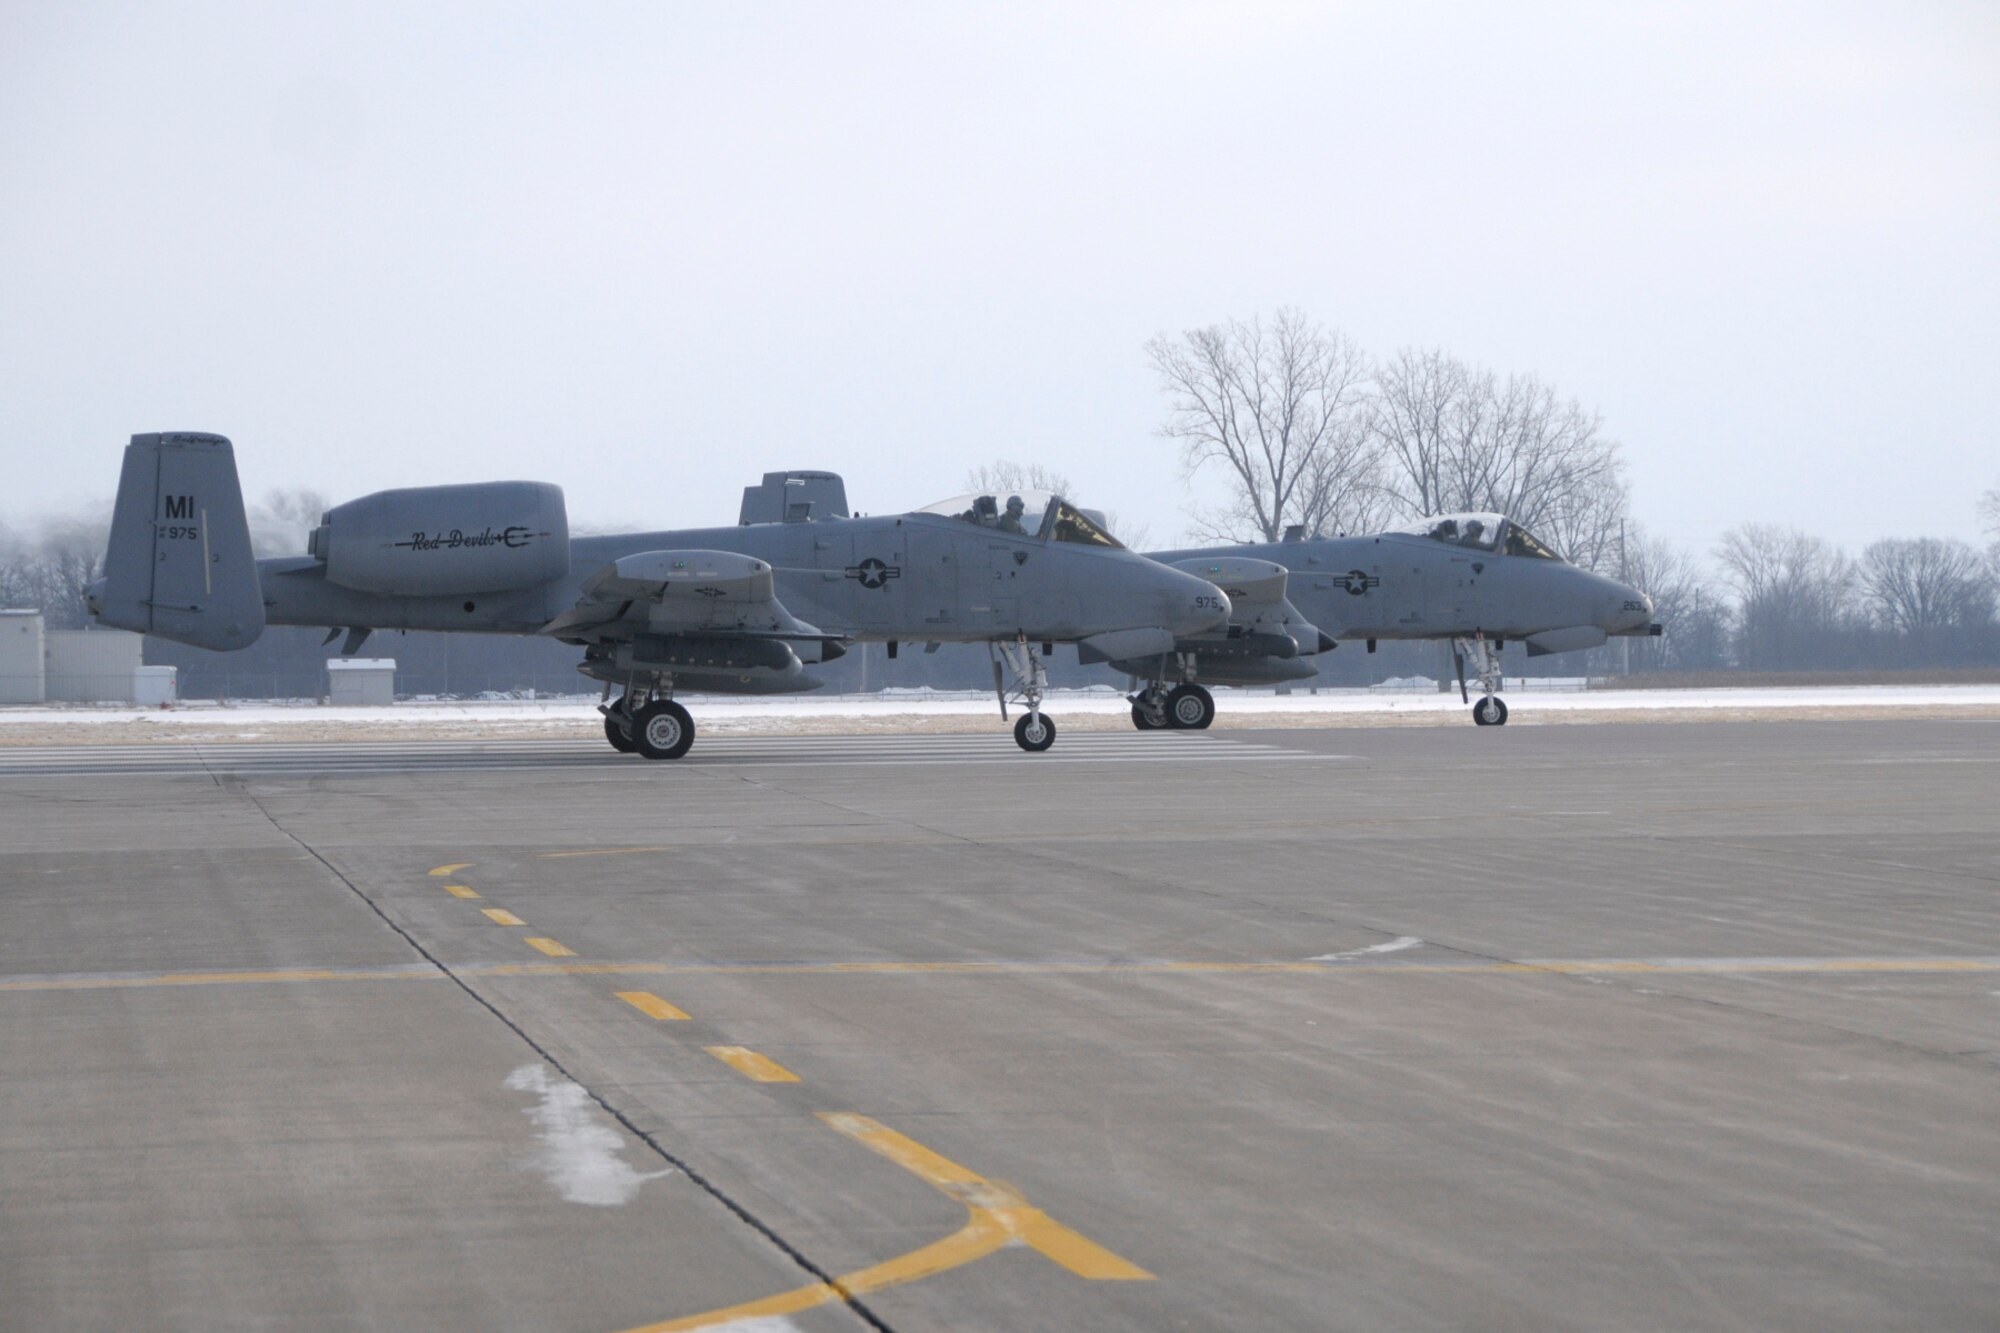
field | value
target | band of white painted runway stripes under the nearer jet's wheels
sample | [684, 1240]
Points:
[379, 758]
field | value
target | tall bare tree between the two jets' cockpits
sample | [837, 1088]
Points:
[1281, 411]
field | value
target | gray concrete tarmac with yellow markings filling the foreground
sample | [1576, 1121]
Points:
[1571, 1028]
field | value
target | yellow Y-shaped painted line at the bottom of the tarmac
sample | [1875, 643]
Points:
[997, 1218]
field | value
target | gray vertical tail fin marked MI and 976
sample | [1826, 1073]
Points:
[179, 561]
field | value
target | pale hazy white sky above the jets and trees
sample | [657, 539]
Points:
[649, 251]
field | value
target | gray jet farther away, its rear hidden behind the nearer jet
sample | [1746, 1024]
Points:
[1473, 579]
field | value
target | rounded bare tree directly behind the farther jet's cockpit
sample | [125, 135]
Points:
[1461, 439]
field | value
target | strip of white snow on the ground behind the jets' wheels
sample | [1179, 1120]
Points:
[927, 712]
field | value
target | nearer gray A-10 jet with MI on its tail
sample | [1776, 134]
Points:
[739, 609]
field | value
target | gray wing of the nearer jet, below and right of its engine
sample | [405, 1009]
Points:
[713, 593]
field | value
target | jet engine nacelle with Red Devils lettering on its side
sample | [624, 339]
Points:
[443, 541]
